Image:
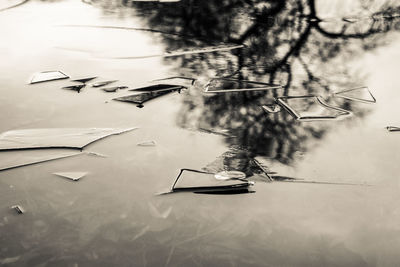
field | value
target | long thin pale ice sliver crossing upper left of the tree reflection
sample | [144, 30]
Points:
[201, 50]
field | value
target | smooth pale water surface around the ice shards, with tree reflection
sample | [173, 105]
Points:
[115, 218]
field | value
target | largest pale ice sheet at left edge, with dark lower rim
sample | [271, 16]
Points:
[55, 137]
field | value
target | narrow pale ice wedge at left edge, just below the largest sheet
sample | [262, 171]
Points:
[15, 159]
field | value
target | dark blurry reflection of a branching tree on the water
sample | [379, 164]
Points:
[287, 43]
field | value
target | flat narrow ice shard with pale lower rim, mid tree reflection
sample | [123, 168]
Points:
[223, 85]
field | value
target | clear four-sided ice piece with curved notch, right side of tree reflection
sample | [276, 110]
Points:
[310, 108]
